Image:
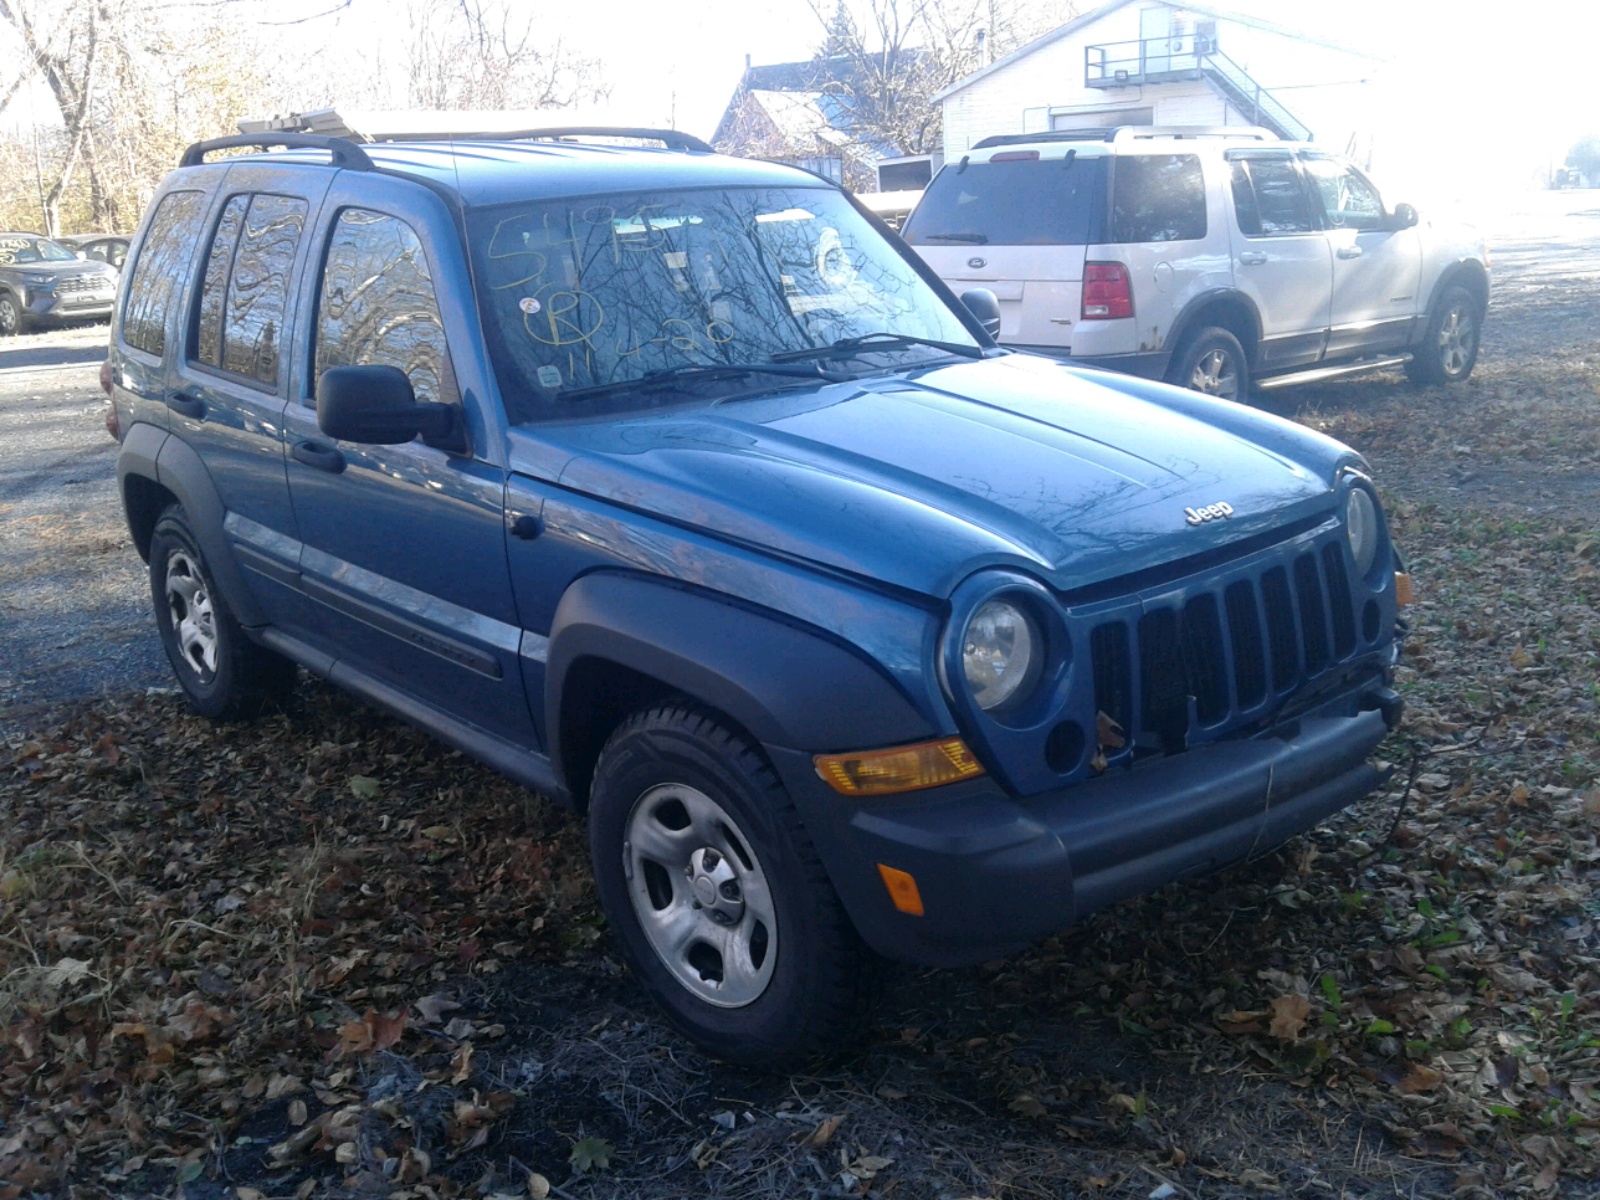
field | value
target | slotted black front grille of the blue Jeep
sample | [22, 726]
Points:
[1214, 657]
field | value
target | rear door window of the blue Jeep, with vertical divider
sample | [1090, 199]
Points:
[239, 324]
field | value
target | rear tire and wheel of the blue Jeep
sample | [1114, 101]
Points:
[222, 671]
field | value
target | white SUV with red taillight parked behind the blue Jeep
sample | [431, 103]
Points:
[1220, 260]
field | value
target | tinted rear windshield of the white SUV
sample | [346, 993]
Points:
[1014, 204]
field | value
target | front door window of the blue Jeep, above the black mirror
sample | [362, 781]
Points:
[377, 303]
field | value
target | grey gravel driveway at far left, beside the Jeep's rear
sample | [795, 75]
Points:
[74, 601]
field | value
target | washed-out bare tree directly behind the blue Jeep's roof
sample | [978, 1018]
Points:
[494, 55]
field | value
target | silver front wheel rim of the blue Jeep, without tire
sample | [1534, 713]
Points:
[702, 897]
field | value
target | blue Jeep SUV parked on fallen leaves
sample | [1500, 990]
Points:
[678, 489]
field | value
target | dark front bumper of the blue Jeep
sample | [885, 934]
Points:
[998, 874]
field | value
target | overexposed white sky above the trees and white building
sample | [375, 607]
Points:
[1479, 97]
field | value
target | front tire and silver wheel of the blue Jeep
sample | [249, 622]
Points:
[697, 847]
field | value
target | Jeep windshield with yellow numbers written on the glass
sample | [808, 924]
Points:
[604, 290]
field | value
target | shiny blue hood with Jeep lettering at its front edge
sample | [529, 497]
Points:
[918, 481]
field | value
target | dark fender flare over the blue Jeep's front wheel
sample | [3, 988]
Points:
[783, 684]
